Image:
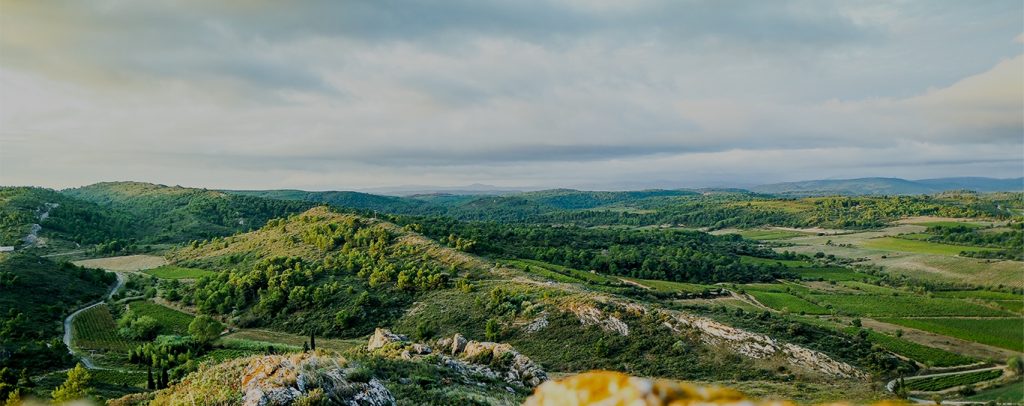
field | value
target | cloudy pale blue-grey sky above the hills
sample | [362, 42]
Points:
[580, 94]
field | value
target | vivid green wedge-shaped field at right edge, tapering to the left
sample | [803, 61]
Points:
[1005, 334]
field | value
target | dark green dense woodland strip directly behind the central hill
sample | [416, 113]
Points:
[666, 255]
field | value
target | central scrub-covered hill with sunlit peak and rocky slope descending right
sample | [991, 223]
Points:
[342, 276]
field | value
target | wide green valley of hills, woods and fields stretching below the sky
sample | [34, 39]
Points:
[813, 300]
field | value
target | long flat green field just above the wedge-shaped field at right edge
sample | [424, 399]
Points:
[907, 305]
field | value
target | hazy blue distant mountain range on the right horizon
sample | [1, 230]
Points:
[890, 186]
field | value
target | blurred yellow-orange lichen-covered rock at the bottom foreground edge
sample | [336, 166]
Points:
[616, 389]
